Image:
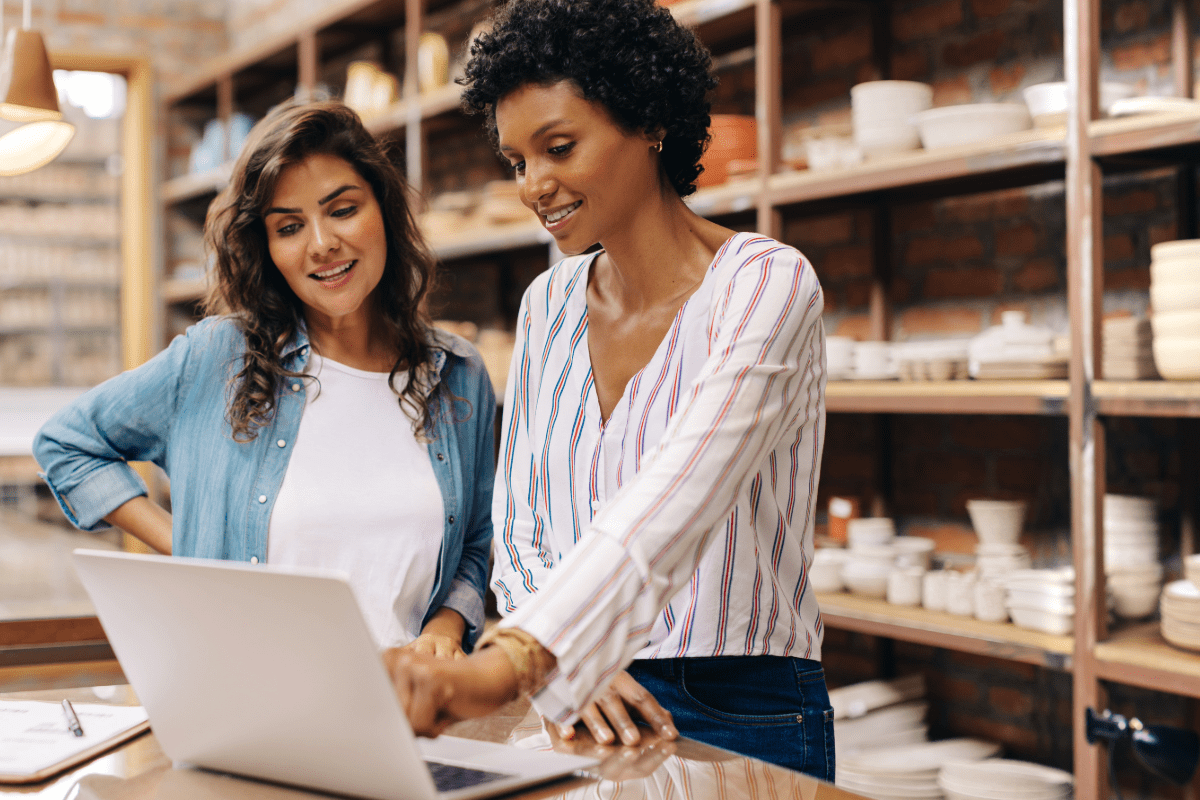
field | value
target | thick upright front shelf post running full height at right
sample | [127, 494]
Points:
[1085, 272]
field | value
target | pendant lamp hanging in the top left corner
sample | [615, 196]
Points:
[28, 97]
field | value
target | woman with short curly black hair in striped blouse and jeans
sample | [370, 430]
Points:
[664, 418]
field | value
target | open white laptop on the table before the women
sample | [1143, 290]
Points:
[272, 673]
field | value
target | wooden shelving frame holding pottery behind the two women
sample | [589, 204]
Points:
[1077, 154]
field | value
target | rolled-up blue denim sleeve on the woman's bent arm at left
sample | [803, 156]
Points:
[85, 450]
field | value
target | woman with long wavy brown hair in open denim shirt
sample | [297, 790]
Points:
[320, 420]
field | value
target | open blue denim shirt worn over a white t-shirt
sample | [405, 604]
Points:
[172, 411]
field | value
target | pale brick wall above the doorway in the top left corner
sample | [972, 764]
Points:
[176, 35]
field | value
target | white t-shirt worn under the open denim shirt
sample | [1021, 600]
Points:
[361, 497]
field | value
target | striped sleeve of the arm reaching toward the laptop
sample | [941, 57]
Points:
[764, 372]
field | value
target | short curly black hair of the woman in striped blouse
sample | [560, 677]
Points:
[632, 57]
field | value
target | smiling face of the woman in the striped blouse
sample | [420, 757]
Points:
[581, 173]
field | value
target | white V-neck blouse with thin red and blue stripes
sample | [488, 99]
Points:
[683, 525]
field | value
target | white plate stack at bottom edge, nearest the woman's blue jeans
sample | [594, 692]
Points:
[908, 772]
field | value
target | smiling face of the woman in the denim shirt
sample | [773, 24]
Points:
[327, 237]
